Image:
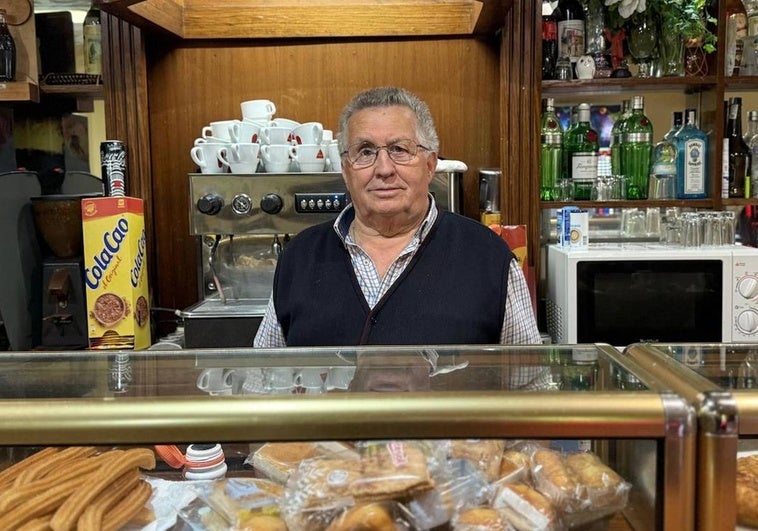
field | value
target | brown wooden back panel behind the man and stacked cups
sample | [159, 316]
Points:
[192, 84]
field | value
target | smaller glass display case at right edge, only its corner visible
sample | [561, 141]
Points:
[719, 380]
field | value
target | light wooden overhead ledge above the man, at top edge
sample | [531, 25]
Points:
[267, 19]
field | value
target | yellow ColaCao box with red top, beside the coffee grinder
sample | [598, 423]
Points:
[115, 273]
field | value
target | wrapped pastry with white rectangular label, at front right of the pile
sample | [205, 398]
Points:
[526, 509]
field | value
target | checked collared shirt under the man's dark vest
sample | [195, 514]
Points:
[519, 324]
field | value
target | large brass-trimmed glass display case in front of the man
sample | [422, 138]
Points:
[558, 400]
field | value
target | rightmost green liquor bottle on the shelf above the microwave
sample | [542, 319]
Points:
[636, 150]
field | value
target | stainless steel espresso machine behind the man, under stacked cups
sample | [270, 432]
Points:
[242, 222]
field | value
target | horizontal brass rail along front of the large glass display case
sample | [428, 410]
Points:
[337, 416]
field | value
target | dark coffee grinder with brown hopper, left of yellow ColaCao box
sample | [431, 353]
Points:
[64, 306]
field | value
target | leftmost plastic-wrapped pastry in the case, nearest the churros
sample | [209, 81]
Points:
[238, 500]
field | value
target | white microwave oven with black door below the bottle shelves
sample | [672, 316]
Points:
[625, 293]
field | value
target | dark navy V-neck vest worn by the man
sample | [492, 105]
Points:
[452, 292]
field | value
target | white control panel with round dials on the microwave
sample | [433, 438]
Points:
[745, 295]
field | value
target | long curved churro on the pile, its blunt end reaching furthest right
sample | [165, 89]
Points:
[70, 510]
